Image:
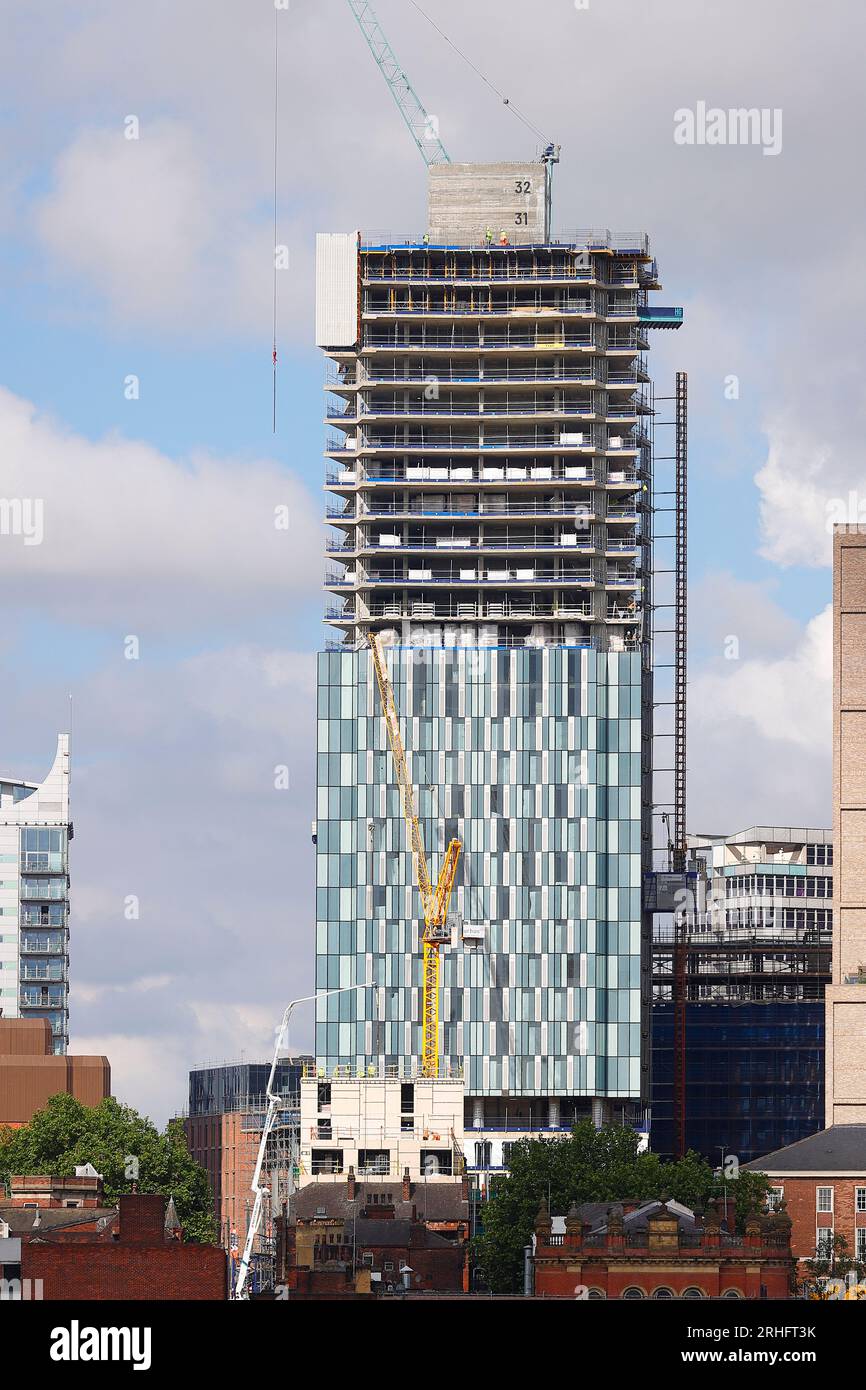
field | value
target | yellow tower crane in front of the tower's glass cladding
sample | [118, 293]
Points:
[434, 901]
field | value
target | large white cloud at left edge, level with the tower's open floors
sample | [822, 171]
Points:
[134, 536]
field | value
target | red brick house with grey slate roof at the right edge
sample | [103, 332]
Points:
[822, 1181]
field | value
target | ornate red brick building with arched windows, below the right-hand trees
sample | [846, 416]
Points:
[660, 1250]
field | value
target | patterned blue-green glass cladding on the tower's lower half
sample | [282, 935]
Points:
[533, 760]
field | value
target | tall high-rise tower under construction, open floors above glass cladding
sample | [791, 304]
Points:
[489, 483]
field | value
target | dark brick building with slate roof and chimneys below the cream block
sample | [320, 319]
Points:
[352, 1239]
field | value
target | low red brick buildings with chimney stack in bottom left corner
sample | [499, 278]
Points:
[76, 1248]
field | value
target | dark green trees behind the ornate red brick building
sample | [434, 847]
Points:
[591, 1167]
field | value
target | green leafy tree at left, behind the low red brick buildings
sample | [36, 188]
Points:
[111, 1136]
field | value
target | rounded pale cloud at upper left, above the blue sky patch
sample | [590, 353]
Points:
[165, 240]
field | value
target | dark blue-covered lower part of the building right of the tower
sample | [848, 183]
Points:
[755, 1078]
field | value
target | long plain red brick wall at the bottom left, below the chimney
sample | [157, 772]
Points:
[127, 1271]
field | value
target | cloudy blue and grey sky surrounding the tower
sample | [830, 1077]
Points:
[172, 623]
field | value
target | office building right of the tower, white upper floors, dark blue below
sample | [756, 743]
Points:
[757, 963]
